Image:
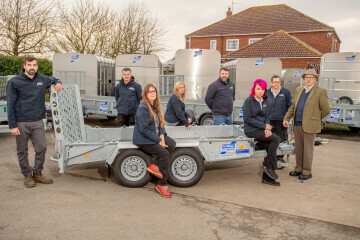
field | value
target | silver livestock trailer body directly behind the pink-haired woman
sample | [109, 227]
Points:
[244, 71]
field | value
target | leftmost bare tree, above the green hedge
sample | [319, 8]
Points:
[25, 25]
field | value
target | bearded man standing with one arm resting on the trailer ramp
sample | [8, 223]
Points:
[26, 108]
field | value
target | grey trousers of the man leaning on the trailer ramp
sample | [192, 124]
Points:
[36, 133]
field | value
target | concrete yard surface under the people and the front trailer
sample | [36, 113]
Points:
[228, 203]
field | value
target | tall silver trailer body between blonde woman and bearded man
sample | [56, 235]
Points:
[199, 67]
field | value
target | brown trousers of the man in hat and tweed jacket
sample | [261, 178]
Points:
[304, 150]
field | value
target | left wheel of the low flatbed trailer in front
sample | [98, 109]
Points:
[130, 168]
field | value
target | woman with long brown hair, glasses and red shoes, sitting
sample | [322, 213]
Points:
[150, 136]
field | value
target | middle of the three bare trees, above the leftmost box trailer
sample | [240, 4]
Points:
[84, 29]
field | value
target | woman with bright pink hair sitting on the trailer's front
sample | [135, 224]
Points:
[257, 125]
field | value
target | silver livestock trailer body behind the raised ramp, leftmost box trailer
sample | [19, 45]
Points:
[95, 75]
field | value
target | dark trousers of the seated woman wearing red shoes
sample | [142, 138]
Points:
[161, 156]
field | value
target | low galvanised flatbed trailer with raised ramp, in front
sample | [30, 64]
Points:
[77, 143]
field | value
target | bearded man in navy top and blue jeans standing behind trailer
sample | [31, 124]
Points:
[220, 97]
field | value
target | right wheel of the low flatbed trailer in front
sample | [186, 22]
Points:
[186, 167]
